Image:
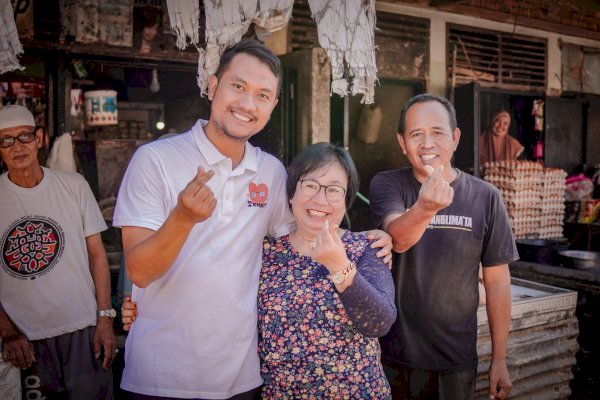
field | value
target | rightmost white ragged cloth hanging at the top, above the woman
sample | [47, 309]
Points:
[346, 30]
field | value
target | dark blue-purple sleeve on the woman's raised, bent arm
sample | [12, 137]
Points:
[369, 301]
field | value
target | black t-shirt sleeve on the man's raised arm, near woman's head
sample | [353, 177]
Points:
[384, 197]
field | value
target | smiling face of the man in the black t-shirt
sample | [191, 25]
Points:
[428, 138]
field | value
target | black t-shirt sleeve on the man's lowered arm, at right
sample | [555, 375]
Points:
[499, 244]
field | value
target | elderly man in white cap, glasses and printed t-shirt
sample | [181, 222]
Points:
[55, 306]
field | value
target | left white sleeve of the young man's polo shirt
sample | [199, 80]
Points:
[141, 199]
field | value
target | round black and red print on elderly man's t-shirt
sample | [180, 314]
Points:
[31, 247]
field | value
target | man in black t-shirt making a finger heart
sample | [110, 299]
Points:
[444, 223]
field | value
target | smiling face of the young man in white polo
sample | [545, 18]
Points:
[243, 98]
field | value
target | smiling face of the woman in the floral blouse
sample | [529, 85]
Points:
[310, 212]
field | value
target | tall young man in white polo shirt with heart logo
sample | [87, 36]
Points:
[194, 210]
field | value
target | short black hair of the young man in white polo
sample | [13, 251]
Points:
[256, 49]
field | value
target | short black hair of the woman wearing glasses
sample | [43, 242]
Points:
[317, 156]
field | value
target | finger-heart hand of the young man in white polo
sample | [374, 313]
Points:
[196, 202]
